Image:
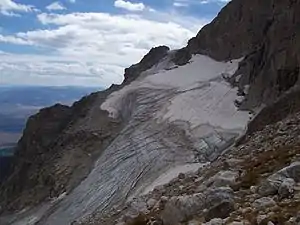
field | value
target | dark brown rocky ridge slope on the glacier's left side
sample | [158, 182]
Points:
[56, 152]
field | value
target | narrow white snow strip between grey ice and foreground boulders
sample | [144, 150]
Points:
[172, 174]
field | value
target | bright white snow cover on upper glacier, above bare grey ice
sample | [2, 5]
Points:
[201, 94]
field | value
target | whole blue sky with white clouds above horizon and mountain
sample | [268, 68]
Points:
[91, 42]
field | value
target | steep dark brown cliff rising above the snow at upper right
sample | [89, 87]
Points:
[267, 34]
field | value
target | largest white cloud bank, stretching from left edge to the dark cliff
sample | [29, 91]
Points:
[91, 48]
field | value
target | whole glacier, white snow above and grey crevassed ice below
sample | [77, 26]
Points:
[175, 116]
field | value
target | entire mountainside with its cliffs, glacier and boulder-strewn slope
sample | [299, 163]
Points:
[86, 162]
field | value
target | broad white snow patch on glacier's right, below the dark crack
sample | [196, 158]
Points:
[212, 104]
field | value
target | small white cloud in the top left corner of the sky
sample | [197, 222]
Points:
[9, 7]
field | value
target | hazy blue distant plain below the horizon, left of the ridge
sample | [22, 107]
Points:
[18, 103]
